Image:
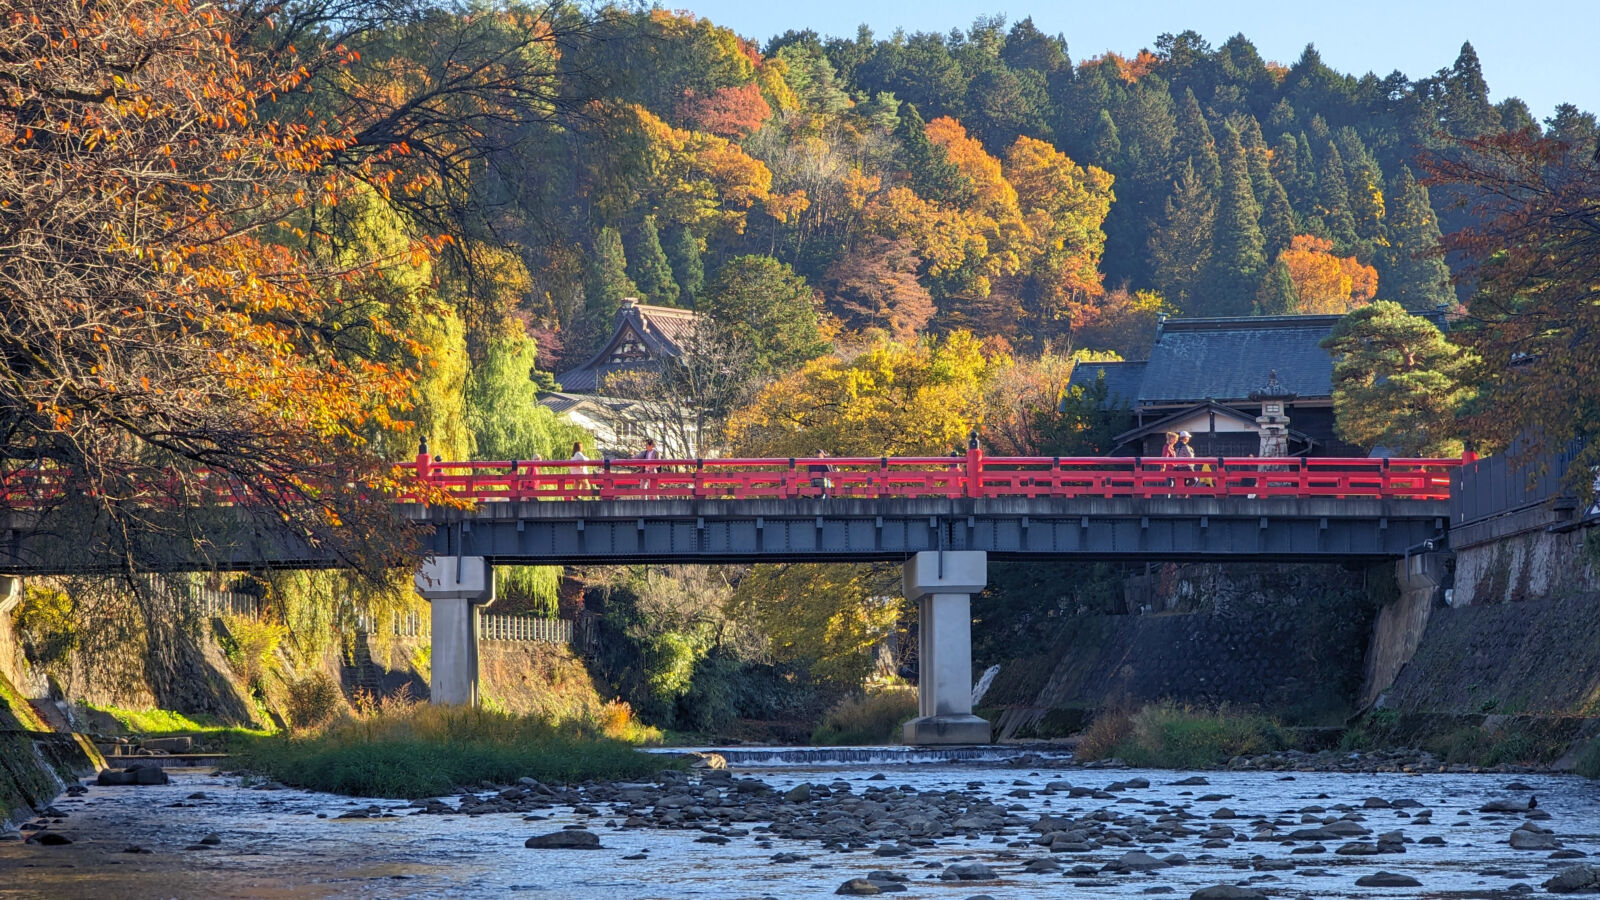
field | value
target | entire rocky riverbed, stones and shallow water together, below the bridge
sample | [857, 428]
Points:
[1023, 829]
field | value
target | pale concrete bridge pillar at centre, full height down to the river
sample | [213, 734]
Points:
[943, 584]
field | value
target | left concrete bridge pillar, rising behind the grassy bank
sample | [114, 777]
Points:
[455, 587]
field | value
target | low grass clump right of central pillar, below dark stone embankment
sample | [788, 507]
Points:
[1167, 736]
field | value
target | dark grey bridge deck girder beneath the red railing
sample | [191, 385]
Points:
[863, 531]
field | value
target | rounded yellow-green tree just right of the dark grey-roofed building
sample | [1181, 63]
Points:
[1398, 382]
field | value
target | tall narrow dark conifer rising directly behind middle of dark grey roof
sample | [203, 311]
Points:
[1239, 257]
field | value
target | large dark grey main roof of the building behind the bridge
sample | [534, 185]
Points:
[1226, 360]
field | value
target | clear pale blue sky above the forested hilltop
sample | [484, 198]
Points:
[1538, 50]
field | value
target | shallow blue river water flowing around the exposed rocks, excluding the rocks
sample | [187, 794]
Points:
[271, 843]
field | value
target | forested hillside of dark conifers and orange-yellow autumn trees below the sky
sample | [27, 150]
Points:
[986, 180]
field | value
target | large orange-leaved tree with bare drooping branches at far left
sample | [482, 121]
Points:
[158, 347]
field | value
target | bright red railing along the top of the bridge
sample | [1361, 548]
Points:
[972, 476]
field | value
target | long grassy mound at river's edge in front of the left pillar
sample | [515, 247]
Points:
[423, 750]
